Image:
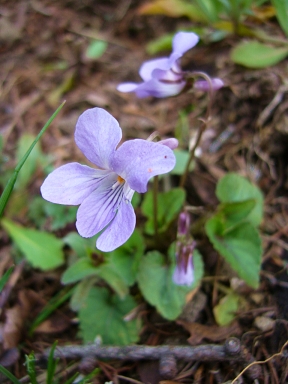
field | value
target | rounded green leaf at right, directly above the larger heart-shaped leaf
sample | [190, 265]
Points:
[233, 188]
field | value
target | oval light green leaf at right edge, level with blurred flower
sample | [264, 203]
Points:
[253, 54]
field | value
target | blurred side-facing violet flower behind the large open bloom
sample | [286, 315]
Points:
[163, 77]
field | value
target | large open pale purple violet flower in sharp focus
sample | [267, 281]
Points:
[105, 194]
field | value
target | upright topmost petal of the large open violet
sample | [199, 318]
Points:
[97, 135]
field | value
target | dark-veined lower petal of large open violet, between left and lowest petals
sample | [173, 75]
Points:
[99, 208]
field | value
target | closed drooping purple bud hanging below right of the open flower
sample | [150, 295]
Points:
[185, 245]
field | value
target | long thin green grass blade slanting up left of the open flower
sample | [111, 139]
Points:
[10, 185]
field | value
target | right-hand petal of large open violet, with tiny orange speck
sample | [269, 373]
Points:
[138, 160]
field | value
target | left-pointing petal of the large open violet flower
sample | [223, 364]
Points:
[71, 183]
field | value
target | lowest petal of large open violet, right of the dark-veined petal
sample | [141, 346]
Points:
[119, 230]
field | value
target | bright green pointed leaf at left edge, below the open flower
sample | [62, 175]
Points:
[43, 250]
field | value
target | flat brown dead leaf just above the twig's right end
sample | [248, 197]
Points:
[199, 332]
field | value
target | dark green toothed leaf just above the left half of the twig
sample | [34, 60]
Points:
[103, 315]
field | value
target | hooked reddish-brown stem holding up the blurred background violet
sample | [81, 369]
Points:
[202, 126]
